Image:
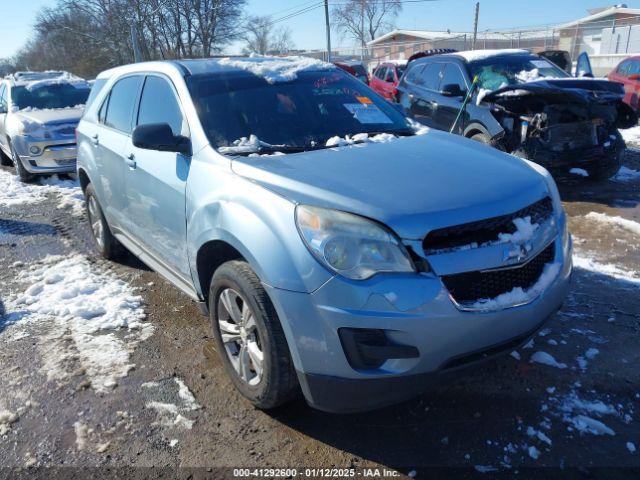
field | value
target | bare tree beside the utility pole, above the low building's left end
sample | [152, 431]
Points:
[364, 20]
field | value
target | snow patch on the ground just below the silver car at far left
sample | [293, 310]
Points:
[13, 192]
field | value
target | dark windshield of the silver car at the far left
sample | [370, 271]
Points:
[61, 95]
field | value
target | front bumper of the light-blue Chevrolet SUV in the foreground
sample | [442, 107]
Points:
[413, 309]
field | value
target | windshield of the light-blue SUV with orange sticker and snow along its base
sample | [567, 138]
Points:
[302, 113]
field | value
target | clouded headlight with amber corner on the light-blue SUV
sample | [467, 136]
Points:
[351, 245]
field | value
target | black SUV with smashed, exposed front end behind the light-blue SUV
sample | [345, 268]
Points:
[523, 104]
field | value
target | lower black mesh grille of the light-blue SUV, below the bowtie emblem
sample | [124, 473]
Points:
[471, 287]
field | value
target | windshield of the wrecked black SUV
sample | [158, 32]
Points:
[498, 72]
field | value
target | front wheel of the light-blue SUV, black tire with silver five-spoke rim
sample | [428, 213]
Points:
[249, 337]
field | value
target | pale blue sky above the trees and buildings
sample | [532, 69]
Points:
[308, 29]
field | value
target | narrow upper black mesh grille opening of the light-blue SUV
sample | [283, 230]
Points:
[484, 231]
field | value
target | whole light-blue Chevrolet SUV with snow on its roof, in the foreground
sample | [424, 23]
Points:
[337, 247]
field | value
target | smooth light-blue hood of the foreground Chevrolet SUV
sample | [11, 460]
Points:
[413, 184]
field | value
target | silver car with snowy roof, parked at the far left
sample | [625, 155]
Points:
[39, 112]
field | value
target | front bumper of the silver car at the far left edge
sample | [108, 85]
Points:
[56, 155]
